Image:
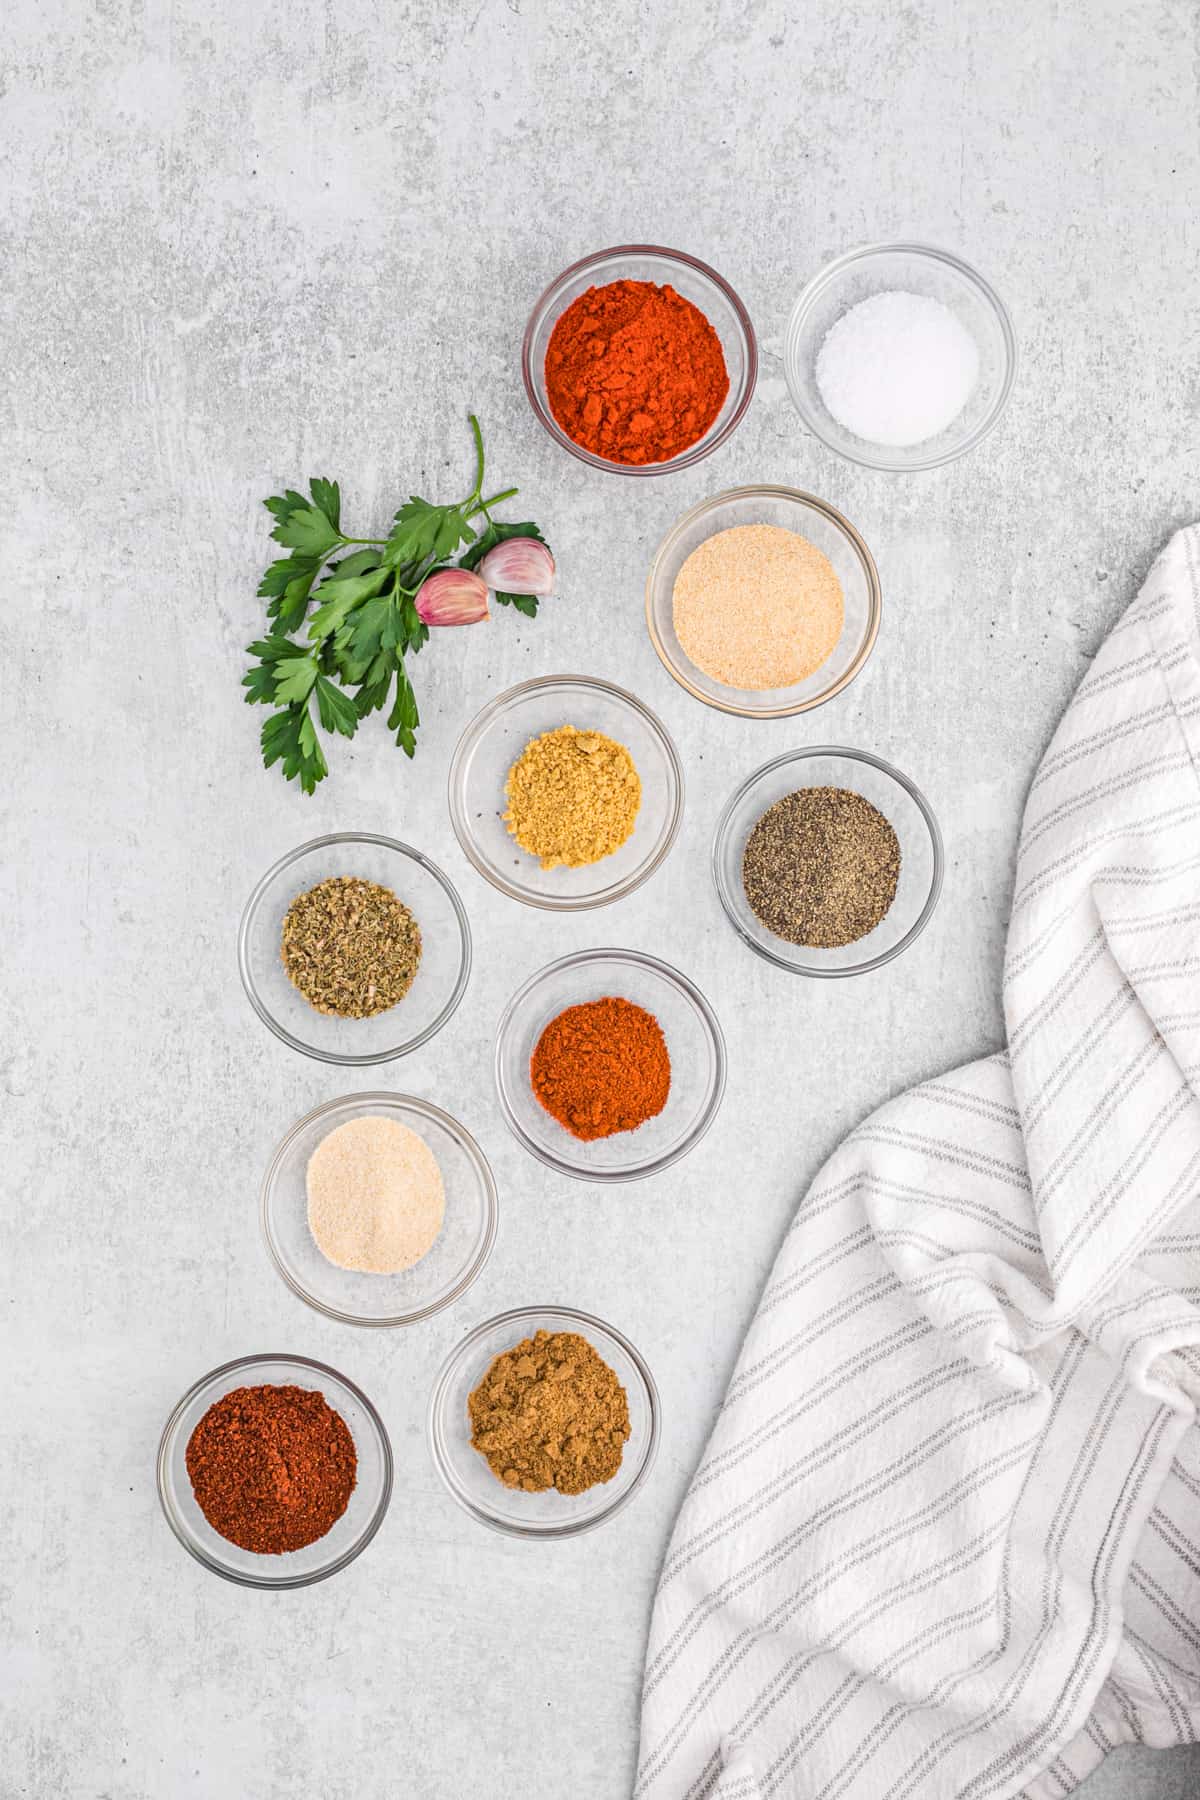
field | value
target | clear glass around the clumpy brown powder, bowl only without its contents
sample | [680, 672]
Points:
[465, 1470]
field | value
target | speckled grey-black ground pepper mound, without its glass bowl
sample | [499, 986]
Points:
[821, 868]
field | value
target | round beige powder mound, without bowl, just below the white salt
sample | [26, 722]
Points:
[758, 607]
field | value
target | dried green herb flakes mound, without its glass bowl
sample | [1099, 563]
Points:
[352, 948]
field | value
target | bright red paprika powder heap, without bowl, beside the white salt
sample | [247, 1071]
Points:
[634, 373]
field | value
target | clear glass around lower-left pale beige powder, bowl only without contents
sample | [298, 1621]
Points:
[456, 1257]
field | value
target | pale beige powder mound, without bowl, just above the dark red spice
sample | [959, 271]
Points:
[375, 1196]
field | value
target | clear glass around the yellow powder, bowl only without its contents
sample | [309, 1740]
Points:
[497, 737]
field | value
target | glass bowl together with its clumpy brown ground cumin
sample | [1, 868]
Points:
[544, 1423]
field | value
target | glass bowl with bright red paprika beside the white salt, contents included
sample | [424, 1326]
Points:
[640, 359]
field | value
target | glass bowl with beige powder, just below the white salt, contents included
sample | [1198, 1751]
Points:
[764, 602]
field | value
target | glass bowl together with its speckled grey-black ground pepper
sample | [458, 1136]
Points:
[828, 861]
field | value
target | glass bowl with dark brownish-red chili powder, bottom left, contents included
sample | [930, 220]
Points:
[274, 1471]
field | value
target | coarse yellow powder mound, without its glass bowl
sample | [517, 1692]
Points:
[573, 798]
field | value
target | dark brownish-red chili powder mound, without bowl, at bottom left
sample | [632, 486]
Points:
[273, 1468]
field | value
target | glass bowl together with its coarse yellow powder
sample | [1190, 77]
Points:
[566, 793]
